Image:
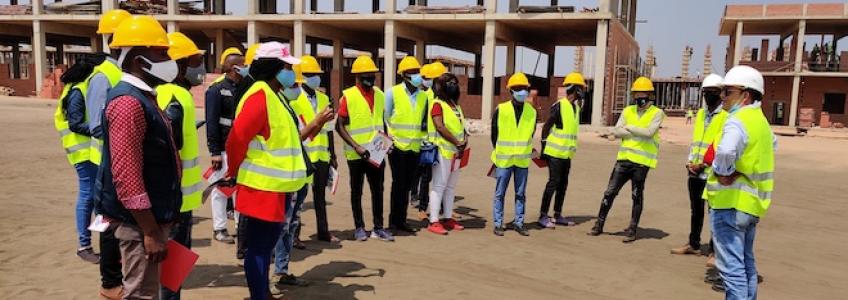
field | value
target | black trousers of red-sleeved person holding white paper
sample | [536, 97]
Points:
[359, 169]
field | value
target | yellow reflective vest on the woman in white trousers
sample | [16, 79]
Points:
[454, 122]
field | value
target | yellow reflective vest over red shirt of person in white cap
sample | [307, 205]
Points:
[275, 164]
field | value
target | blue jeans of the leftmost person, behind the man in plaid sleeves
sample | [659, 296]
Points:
[86, 171]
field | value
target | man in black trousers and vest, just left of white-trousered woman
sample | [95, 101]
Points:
[405, 113]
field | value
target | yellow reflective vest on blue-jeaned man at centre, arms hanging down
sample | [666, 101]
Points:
[513, 146]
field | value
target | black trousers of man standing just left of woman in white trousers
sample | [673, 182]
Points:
[403, 164]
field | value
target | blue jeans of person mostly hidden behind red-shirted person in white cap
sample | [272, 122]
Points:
[282, 250]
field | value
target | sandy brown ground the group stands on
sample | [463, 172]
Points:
[799, 243]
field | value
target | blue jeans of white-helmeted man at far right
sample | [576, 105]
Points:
[734, 233]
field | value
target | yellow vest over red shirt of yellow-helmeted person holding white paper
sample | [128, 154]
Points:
[364, 123]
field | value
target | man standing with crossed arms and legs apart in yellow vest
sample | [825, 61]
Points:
[638, 127]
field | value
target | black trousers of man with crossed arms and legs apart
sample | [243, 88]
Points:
[622, 172]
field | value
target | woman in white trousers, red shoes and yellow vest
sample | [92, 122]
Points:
[446, 127]
